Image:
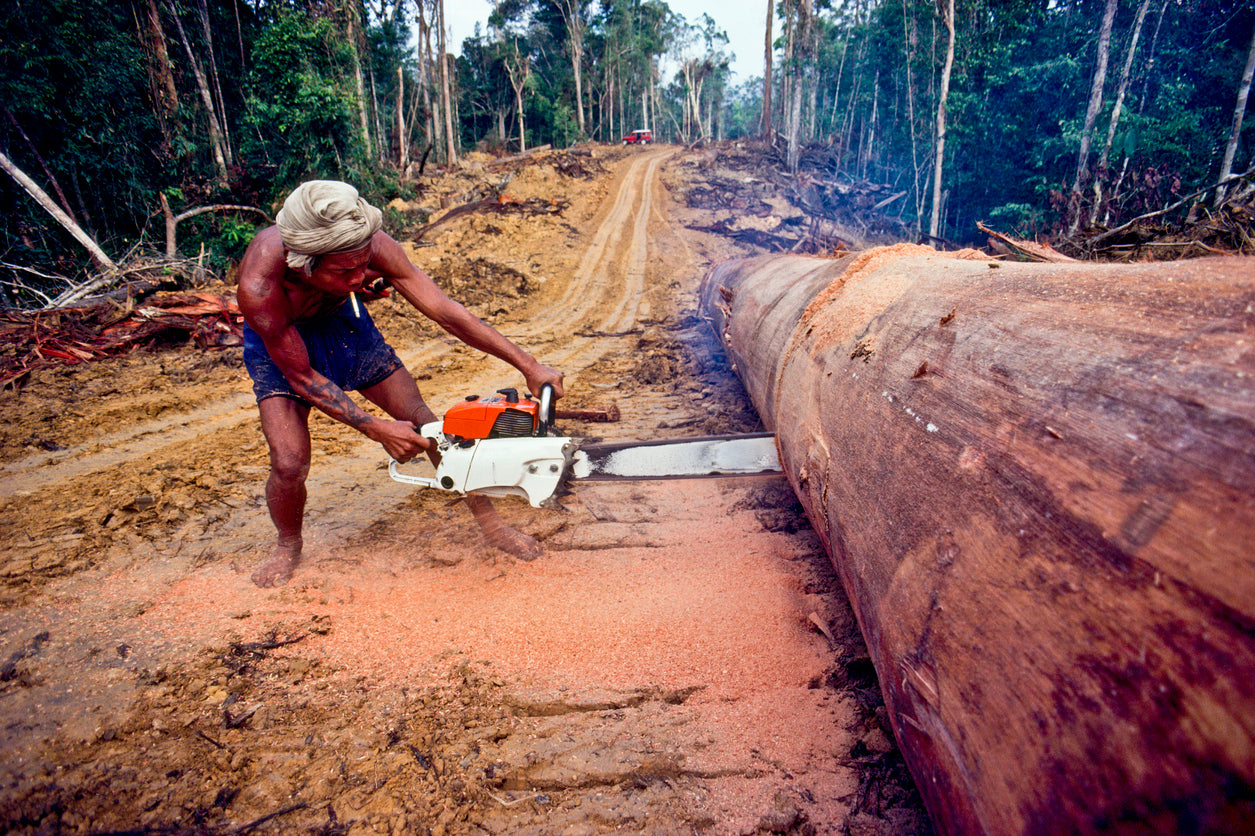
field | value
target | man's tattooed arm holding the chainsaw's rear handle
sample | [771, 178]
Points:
[267, 308]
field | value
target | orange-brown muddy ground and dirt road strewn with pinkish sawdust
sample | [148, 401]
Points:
[682, 658]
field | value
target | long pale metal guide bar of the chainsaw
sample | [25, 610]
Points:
[678, 459]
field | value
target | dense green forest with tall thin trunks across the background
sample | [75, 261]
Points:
[171, 127]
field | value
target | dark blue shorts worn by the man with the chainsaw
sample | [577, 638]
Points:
[347, 350]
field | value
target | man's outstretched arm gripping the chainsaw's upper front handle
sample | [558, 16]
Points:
[422, 293]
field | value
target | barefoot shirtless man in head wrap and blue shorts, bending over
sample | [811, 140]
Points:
[308, 342]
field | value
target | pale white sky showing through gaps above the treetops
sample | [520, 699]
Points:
[742, 19]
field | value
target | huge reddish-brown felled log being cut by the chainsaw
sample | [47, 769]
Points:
[1037, 484]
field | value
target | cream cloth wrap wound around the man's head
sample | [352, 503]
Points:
[324, 217]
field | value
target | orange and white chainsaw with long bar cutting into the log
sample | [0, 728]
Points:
[501, 446]
